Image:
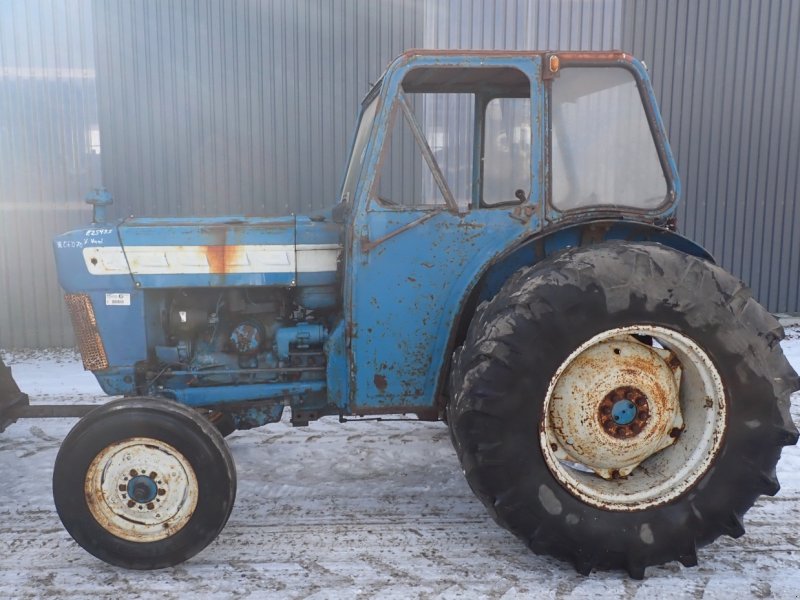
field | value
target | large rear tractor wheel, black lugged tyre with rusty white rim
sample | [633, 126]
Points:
[620, 405]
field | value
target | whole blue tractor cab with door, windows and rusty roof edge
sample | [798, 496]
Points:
[466, 166]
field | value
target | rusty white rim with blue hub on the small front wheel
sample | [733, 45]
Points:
[141, 489]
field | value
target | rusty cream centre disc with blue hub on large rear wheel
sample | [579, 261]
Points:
[615, 405]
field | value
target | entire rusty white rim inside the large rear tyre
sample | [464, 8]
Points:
[677, 440]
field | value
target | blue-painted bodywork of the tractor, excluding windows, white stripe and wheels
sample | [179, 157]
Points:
[391, 304]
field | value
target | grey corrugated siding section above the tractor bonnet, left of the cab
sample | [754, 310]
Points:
[212, 108]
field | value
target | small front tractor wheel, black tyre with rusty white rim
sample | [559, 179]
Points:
[144, 483]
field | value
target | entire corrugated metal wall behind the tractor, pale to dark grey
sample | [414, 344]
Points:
[207, 107]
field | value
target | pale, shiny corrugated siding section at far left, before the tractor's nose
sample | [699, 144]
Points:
[47, 111]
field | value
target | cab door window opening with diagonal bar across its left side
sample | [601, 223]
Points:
[459, 138]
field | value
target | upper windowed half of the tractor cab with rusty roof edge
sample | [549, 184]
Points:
[547, 137]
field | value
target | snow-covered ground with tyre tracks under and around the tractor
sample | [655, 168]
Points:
[354, 510]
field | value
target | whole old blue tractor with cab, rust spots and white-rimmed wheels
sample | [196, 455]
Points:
[502, 257]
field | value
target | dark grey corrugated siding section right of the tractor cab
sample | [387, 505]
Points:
[725, 73]
